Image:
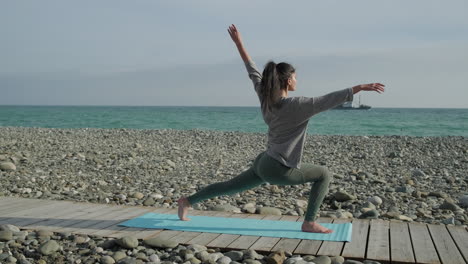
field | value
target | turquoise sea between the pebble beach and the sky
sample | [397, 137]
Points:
[375, 121]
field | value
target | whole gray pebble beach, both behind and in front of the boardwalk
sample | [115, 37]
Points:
[401, 178]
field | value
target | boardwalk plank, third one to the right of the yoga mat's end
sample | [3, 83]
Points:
[401, 248]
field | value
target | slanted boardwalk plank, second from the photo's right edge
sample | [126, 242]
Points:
[444, 244]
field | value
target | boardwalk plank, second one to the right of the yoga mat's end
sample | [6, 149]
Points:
[378, 247]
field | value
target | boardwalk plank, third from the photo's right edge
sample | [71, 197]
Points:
[423, 247]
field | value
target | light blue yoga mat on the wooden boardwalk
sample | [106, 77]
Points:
[239, 226]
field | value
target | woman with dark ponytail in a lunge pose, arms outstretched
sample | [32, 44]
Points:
[287, 119]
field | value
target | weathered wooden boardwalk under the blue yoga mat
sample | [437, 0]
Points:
[384, 241]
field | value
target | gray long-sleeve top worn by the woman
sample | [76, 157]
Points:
[287, 123]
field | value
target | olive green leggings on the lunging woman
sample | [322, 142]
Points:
[267, 169]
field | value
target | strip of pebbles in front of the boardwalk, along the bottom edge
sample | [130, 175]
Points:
[44, 247]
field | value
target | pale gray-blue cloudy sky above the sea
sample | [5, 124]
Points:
[178, 53]
